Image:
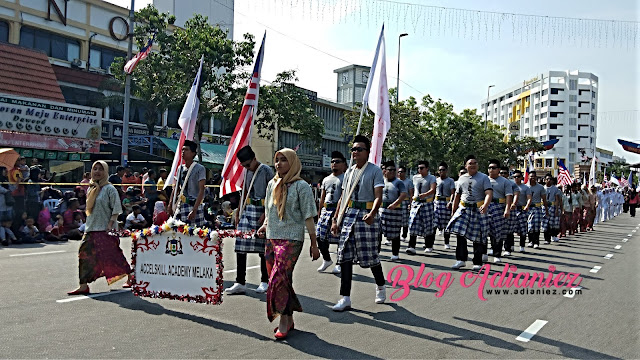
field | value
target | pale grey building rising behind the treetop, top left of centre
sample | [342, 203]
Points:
[219, 12]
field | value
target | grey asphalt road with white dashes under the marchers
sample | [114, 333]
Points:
[38, 320]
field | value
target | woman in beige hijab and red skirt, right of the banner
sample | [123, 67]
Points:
[289, 208]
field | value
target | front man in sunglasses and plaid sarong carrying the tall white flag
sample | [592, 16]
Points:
[357, 222]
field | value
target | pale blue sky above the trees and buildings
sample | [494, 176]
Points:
[451, 67]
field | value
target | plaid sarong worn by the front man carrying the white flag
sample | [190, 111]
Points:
[358, 241]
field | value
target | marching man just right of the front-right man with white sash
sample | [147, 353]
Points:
[498, 209]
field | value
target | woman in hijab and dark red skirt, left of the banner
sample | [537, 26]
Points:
[100, 254]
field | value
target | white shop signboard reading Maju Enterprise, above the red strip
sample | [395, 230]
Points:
[35, 116]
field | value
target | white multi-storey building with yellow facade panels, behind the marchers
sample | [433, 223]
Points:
[553, 105]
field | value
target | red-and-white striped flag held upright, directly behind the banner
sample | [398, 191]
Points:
[233, 172]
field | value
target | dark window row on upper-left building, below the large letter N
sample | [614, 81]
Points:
[53, 45]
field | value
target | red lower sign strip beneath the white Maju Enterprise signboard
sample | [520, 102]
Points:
[33, 141]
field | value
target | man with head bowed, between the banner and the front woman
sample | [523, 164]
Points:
[251, 218]
